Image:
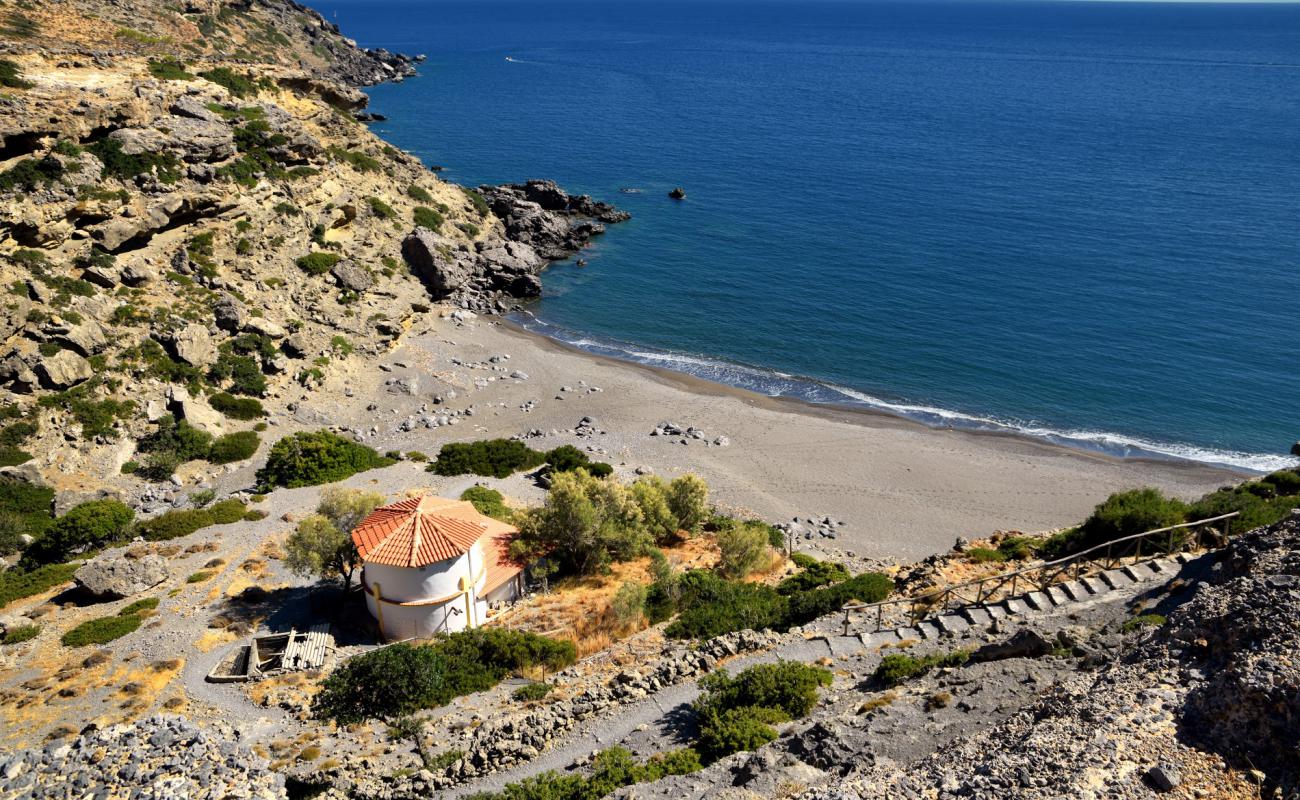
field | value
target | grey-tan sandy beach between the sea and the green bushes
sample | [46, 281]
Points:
[903, 490]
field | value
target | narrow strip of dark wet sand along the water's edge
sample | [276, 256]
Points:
[866, 414]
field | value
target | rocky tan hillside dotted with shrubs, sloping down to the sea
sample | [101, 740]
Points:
[196, 211]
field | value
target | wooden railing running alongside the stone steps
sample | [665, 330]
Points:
[1041, 577]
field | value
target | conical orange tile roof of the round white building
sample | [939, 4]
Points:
[422, 531]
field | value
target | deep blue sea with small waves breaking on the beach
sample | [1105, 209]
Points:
[1081, 220]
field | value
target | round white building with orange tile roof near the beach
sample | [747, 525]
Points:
[434, 567]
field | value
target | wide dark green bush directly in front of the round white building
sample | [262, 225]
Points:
[402, 680]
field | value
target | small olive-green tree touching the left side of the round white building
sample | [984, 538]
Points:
[323, 543]
